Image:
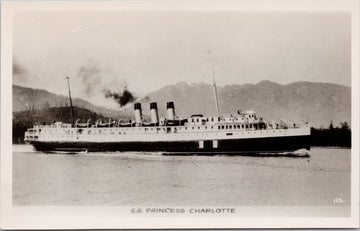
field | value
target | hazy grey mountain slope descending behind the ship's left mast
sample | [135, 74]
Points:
[25, 98]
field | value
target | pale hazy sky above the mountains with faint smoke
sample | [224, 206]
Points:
[146, 50]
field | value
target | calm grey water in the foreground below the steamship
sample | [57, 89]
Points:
[153, 179]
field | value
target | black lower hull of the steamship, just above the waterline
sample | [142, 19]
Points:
[235, 146]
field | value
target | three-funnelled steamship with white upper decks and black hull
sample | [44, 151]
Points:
[243, 132]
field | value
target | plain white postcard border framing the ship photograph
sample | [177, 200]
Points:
[96, 217]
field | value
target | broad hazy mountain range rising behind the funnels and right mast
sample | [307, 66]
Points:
[318, 103]
